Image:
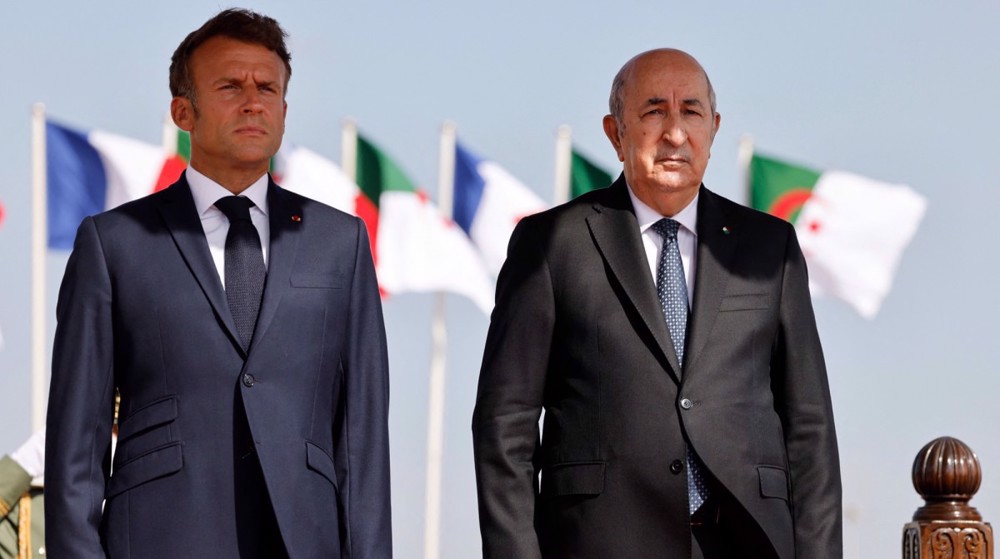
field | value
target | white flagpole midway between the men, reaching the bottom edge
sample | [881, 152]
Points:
[439, 356]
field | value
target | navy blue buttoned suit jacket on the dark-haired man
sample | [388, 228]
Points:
[142, 309]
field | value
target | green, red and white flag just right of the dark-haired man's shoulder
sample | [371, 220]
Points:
[416, 249]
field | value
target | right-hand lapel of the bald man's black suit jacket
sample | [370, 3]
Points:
[717, 240]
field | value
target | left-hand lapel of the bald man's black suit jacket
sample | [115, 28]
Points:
[616, 233]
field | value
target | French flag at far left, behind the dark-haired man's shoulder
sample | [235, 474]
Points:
[88, 173]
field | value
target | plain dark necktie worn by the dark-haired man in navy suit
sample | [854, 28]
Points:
[245, 270]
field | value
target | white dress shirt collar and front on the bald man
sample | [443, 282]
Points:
[687, 238]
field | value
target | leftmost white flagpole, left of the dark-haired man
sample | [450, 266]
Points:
[39, 228]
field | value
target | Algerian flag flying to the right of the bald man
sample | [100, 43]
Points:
[852, 229]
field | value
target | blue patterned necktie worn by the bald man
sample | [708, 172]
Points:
[672, 291]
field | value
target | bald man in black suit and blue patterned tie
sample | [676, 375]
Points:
[667, 432]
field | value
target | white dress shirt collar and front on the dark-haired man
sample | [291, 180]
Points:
[214, 222]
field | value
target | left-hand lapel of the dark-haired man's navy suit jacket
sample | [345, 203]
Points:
[182, 220]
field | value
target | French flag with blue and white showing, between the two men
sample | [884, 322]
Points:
[489, 202]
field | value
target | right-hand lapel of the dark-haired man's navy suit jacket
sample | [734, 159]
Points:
[282, 212]
